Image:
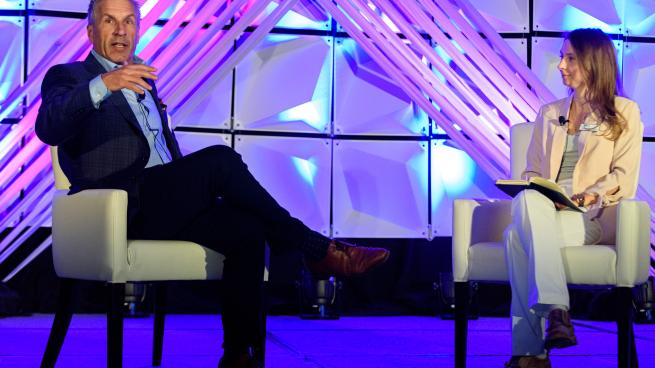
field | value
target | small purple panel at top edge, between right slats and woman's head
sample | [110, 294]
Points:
[505, 16]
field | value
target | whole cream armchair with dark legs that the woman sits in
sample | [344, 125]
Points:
[478, 254]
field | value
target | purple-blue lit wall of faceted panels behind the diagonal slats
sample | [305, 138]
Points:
[330, 134]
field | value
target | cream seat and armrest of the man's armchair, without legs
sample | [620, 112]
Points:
[90, 243]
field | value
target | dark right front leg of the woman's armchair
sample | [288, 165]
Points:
[627, 348]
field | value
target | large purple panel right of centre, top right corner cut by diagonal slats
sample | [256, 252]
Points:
[367, 100]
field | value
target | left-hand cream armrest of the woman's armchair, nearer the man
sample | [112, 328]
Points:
[476, 221]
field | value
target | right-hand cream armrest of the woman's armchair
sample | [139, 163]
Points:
[632, 243]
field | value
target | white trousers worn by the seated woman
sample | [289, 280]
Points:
[532, 242]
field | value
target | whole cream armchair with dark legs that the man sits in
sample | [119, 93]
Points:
[89, 231]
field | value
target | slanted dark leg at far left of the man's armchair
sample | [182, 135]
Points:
[60, 325]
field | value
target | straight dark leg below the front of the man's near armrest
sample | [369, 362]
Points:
[115, 325]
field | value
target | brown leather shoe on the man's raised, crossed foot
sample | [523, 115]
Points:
[345, 259]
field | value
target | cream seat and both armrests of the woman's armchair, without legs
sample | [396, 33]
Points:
[479, 254]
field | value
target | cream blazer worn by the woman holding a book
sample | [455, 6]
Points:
[608, 168]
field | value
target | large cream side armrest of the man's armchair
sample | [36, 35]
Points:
[89, 231]
